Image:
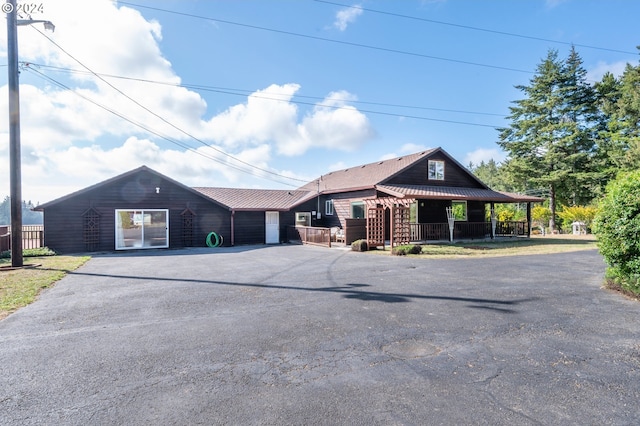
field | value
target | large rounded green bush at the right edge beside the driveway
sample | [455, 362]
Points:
[617, 226]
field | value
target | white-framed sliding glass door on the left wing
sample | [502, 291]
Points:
[138, 229]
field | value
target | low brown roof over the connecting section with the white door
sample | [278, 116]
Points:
[254, 199]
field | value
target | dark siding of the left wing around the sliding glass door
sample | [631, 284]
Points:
[64, 220]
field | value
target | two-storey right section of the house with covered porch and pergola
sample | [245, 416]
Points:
[423, 189]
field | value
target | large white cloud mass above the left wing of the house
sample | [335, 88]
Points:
[69, 143]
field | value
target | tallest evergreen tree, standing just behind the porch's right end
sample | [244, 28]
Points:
[549, 142]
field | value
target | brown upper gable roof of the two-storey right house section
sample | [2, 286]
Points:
[367, 176]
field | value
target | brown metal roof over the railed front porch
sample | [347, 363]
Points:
[454, 193]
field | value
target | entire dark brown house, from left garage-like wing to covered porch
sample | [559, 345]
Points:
[402, 199]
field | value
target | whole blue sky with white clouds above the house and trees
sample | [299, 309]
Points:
[291, 89]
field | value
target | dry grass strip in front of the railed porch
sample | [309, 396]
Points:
[506, 247]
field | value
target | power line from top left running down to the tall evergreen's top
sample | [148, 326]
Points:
[329, 40]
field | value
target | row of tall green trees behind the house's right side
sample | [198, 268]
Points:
[568, 137]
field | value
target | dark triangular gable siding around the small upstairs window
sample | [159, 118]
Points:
[418, 174]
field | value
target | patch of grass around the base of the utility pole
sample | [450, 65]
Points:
[20, 287]
